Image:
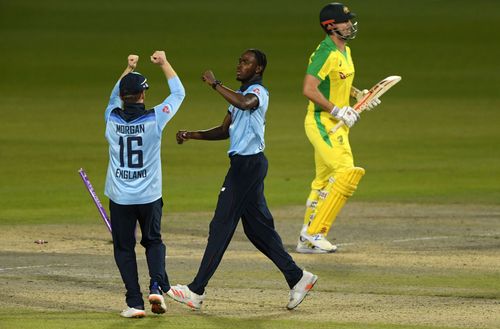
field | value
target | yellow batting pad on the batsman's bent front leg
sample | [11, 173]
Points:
[337, 193]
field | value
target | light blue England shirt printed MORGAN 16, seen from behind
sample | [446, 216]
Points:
[134, 136]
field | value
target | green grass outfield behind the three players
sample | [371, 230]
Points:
[434, 139]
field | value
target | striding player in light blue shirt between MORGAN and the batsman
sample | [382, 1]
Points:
[242, 193]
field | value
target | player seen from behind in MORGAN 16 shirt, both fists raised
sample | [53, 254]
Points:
[134, 179]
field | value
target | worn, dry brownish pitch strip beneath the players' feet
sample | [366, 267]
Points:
[401, 264]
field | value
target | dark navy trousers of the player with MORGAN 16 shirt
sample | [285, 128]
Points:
[124, 219]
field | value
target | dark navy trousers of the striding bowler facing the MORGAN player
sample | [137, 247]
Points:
[242, 196]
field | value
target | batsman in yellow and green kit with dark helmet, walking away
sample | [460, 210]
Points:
[328, 86]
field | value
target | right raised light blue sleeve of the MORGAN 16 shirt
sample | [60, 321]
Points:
[167, 109]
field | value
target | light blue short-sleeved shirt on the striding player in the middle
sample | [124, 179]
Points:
[246, 131]
